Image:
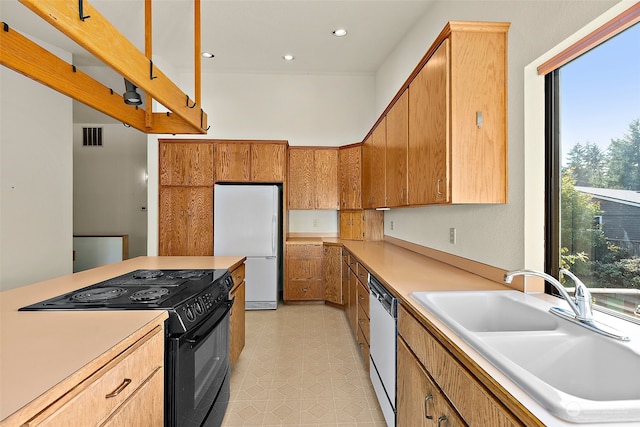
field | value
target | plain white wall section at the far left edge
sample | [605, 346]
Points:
[35, 181]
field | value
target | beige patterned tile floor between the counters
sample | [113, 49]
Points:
[301, 366]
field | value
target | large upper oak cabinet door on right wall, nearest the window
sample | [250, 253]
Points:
[429, 131]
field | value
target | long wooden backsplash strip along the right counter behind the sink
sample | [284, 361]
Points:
[484, 270]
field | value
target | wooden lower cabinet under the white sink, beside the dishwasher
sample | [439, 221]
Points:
[475, 405]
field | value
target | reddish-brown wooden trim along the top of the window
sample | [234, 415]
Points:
[615, 26]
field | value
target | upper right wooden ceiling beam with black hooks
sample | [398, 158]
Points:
[99, 37]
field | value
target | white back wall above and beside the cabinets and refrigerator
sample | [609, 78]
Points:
[329, 110]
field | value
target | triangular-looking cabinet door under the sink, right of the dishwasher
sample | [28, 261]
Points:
[419, 401]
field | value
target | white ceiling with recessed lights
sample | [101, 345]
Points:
[248, 35]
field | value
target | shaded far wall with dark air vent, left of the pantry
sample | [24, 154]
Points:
[109, 187]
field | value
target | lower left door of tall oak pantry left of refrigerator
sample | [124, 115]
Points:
[173, 235]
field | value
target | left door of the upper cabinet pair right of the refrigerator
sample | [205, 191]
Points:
[300, 179]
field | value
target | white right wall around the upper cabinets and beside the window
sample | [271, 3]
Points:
[492, 234]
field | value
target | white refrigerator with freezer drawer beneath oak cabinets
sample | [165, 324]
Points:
[246, 222]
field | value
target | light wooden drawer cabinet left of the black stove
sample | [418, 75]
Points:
[119, 393]
